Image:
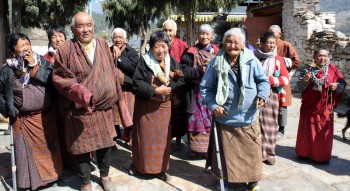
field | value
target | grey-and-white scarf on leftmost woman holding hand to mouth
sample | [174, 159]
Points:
[18, 66]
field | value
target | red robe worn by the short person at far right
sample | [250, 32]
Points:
[315, 131]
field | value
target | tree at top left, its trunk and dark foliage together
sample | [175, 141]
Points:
[32, 13]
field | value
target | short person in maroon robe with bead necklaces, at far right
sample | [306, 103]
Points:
[322, 87]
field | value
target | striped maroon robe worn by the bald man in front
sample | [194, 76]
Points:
[89, 124]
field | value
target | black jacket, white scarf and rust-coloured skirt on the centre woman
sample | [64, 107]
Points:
[151, 134]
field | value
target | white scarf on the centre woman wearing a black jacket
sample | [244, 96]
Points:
[153, 64]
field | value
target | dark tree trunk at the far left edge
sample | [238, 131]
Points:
[4, 21]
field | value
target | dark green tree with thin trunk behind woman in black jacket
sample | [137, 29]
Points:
[134, 15]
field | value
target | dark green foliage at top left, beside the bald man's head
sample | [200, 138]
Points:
[43, 13]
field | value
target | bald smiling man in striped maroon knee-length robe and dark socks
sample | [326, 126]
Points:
[85, 75]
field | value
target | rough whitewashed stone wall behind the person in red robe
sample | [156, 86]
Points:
[306, 28]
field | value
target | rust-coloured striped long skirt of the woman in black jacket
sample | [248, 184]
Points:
[151, 140]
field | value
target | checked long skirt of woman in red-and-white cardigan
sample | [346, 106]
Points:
[268, 119]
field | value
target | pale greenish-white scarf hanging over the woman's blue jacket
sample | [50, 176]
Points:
[222, 66]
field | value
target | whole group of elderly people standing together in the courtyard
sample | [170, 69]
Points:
[73, 101]
